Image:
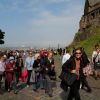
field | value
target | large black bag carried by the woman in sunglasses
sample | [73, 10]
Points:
[68, 78]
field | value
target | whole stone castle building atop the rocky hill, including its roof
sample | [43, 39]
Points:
[91, 14]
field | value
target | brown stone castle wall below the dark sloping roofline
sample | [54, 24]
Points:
[92, 18]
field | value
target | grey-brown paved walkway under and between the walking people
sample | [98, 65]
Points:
[28, 94]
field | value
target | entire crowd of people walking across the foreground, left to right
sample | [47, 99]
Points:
[37, 68]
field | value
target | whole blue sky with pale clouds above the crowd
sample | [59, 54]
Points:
[40, 23]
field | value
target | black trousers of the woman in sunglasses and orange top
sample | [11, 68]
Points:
[74, 91]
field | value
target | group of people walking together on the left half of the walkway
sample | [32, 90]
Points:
[37, 68]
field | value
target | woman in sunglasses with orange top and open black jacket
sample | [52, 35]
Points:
[75, 66]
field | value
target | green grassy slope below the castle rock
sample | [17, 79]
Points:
[91, 41]
